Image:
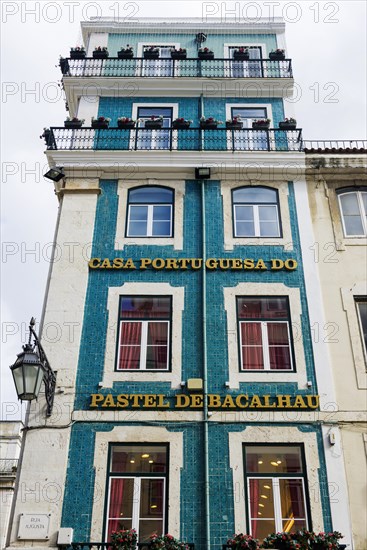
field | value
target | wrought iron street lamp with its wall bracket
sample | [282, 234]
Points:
[31, 368]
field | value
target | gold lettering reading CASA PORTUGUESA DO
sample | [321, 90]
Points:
[174, 264]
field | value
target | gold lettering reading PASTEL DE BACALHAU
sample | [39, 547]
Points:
[196, 401]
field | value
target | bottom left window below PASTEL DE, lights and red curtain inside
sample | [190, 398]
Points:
[137, 489]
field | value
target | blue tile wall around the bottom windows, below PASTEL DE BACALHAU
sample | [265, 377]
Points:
[81, 493]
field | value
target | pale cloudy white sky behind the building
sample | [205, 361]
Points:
[325, 40]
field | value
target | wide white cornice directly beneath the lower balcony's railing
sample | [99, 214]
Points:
[258, 164]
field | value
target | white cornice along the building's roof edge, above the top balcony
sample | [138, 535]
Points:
[182, 26]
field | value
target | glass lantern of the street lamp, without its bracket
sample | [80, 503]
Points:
[28, 374]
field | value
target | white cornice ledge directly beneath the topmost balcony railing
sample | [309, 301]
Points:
[76, 87]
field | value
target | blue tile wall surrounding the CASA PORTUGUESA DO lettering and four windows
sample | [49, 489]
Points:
[92, 348]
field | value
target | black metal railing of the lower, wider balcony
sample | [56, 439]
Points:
[169, 139]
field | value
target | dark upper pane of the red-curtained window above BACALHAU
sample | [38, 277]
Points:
[265, 308]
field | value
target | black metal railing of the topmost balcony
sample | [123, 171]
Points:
[168, 68]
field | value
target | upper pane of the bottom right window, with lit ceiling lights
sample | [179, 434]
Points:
[273, 459]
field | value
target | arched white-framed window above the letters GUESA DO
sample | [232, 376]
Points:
[255, 212]
